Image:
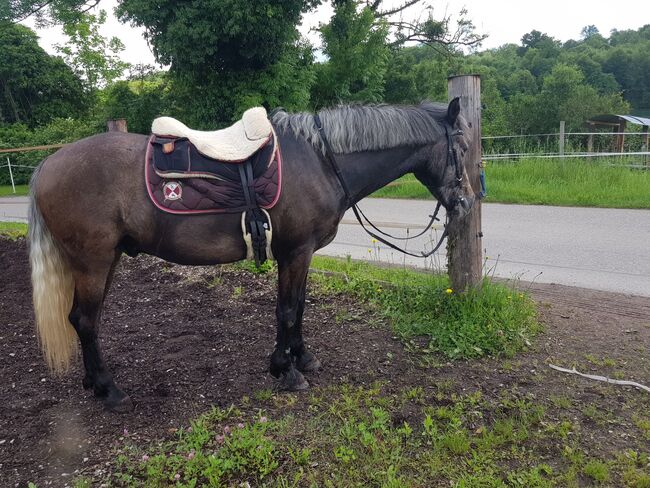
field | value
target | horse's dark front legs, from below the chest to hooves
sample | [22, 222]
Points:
[290, 355]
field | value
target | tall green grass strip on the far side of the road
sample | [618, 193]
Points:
[549, 182]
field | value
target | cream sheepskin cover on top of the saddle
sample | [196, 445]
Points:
[232, 144]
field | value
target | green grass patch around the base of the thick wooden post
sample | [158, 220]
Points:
[491, 320]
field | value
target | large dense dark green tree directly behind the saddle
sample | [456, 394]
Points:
[251, 56]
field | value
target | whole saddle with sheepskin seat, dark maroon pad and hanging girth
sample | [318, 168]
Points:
[233, 170]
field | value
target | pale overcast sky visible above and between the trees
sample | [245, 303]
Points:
[504, 21]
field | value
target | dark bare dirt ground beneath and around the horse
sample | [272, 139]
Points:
[180, 339]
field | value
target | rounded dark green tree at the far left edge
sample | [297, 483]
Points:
[34, 86]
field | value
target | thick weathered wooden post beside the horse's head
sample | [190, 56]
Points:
[464, 244]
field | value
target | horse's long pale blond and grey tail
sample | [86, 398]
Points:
[53, 290]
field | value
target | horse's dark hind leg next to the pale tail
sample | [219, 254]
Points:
[90, 291]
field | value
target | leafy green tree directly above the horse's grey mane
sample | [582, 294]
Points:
[363, 39]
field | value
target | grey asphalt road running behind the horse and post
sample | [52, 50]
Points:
[602, 249]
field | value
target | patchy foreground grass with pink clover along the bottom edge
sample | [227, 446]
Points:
[359, 436]
